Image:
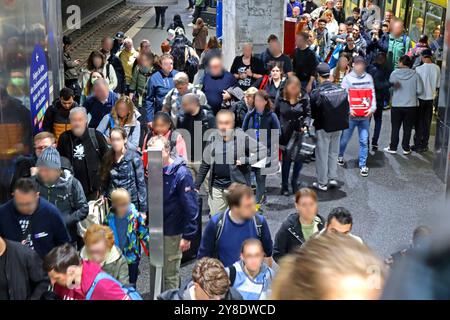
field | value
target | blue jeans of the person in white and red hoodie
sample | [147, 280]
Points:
[363, 125]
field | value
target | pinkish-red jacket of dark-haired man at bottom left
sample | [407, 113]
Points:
[105, 289]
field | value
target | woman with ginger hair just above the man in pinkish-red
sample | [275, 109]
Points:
[99, 248]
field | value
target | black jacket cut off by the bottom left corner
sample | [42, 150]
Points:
[24, 273]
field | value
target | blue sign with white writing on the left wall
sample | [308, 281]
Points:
[39, 87]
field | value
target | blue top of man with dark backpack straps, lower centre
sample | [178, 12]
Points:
[233, 235]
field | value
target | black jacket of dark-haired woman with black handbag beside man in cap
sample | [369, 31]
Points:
[292, 117]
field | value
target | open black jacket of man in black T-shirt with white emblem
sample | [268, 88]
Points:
[66, 147]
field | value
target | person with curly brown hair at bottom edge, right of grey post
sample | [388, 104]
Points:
[209, 282]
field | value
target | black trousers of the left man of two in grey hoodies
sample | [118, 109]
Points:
[402, 117]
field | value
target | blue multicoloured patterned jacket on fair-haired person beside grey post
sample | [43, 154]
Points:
[136, 234]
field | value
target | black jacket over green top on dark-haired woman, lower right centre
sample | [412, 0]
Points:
[290, 236]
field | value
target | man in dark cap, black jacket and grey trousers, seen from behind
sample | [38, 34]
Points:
[330, 109]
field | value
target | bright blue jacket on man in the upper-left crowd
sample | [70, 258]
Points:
[157, 88]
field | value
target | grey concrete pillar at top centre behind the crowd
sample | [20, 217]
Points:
[250, 21]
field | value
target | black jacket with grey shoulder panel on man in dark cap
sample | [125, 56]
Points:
[334, 108]
